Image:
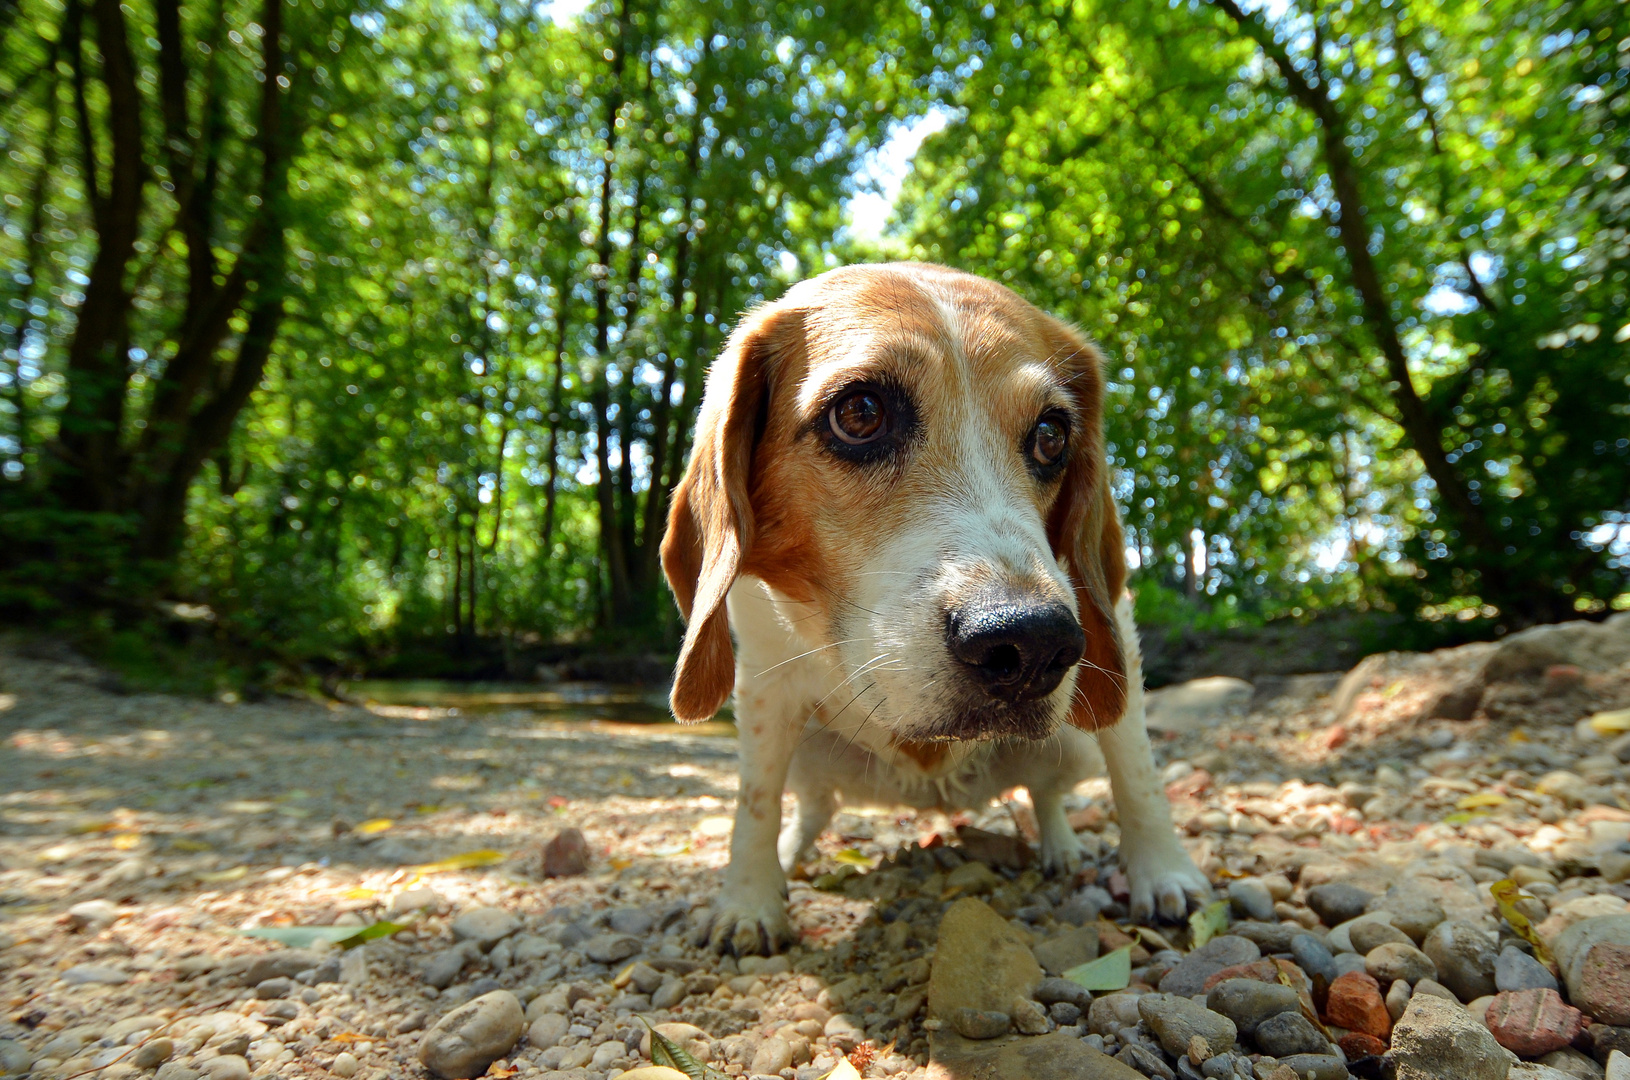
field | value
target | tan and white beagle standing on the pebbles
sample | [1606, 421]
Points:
[901, 506]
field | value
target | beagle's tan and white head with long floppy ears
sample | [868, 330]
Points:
[915, 459]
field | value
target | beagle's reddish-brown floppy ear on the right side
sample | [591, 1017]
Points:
[1086, 535]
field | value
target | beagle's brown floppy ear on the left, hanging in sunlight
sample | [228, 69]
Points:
[711, 519]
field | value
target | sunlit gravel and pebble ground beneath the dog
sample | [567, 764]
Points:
[143, 835]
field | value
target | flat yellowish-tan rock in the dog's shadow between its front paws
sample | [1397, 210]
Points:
[980, 962]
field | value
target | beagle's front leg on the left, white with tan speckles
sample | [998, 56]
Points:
[751, 915]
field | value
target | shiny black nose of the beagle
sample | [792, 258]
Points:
[1016, 651]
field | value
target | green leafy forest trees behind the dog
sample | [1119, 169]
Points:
[369, 327]
